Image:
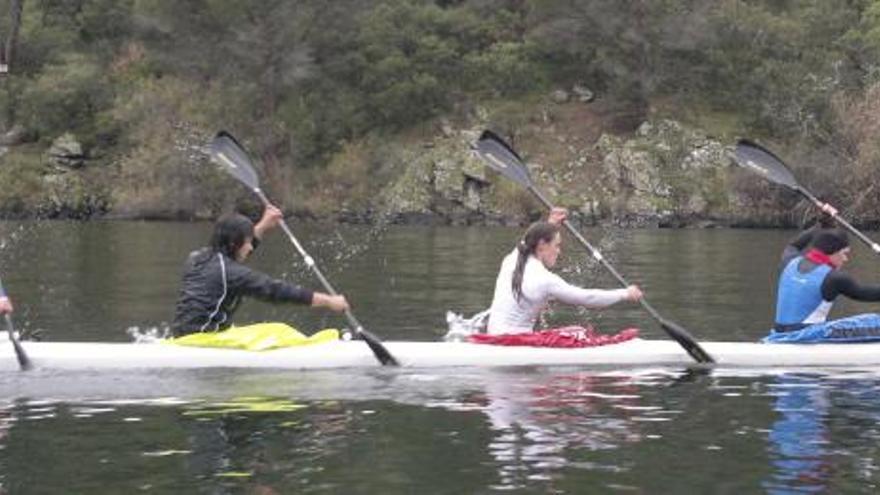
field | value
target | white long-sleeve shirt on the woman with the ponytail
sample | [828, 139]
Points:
[539, 286]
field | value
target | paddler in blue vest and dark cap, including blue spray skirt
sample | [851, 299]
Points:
[810, 281]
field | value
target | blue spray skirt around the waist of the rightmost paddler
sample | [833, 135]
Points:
[858, 328]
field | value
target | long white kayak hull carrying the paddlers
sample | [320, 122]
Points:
[356, 354]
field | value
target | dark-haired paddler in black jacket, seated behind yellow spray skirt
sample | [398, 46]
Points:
[215, 280]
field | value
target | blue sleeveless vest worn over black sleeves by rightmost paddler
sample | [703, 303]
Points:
[799, 296]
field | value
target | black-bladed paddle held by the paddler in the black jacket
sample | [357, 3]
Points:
[229, 154]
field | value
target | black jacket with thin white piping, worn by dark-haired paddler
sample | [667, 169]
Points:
[213, 285]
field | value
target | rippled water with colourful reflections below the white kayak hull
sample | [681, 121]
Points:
[473, 431]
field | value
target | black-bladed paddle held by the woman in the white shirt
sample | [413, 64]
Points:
[503, 159]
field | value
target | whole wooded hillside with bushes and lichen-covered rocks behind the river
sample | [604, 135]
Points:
[363, 110]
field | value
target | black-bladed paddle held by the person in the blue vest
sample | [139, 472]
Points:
[763, 162]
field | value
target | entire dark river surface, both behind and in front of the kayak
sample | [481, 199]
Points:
[518, 430]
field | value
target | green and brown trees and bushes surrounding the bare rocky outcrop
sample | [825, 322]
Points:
[317, 89]
